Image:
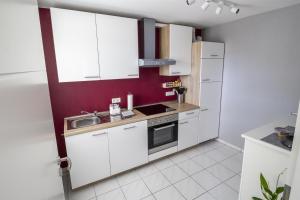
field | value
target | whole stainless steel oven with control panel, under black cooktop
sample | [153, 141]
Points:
[162, 133]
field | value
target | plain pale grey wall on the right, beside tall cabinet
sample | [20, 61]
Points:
[261, 70]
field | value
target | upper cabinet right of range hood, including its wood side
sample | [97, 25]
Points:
[176, 43]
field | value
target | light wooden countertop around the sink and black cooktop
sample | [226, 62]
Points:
[137, 117]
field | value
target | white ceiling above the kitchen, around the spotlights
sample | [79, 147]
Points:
[171, 11]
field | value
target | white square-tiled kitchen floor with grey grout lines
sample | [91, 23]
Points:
[209, 171]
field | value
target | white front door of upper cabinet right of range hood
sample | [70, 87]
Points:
[181, 49]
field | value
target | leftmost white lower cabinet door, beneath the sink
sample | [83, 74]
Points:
[90, 157]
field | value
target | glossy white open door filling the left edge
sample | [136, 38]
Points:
[28, 152]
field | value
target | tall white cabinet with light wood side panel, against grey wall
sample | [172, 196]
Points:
[205, 86]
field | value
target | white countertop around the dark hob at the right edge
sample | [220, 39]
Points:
[257, 134]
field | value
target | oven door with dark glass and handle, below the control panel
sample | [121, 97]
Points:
[162, 136]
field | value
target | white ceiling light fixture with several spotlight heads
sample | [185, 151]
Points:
[220, 5]
